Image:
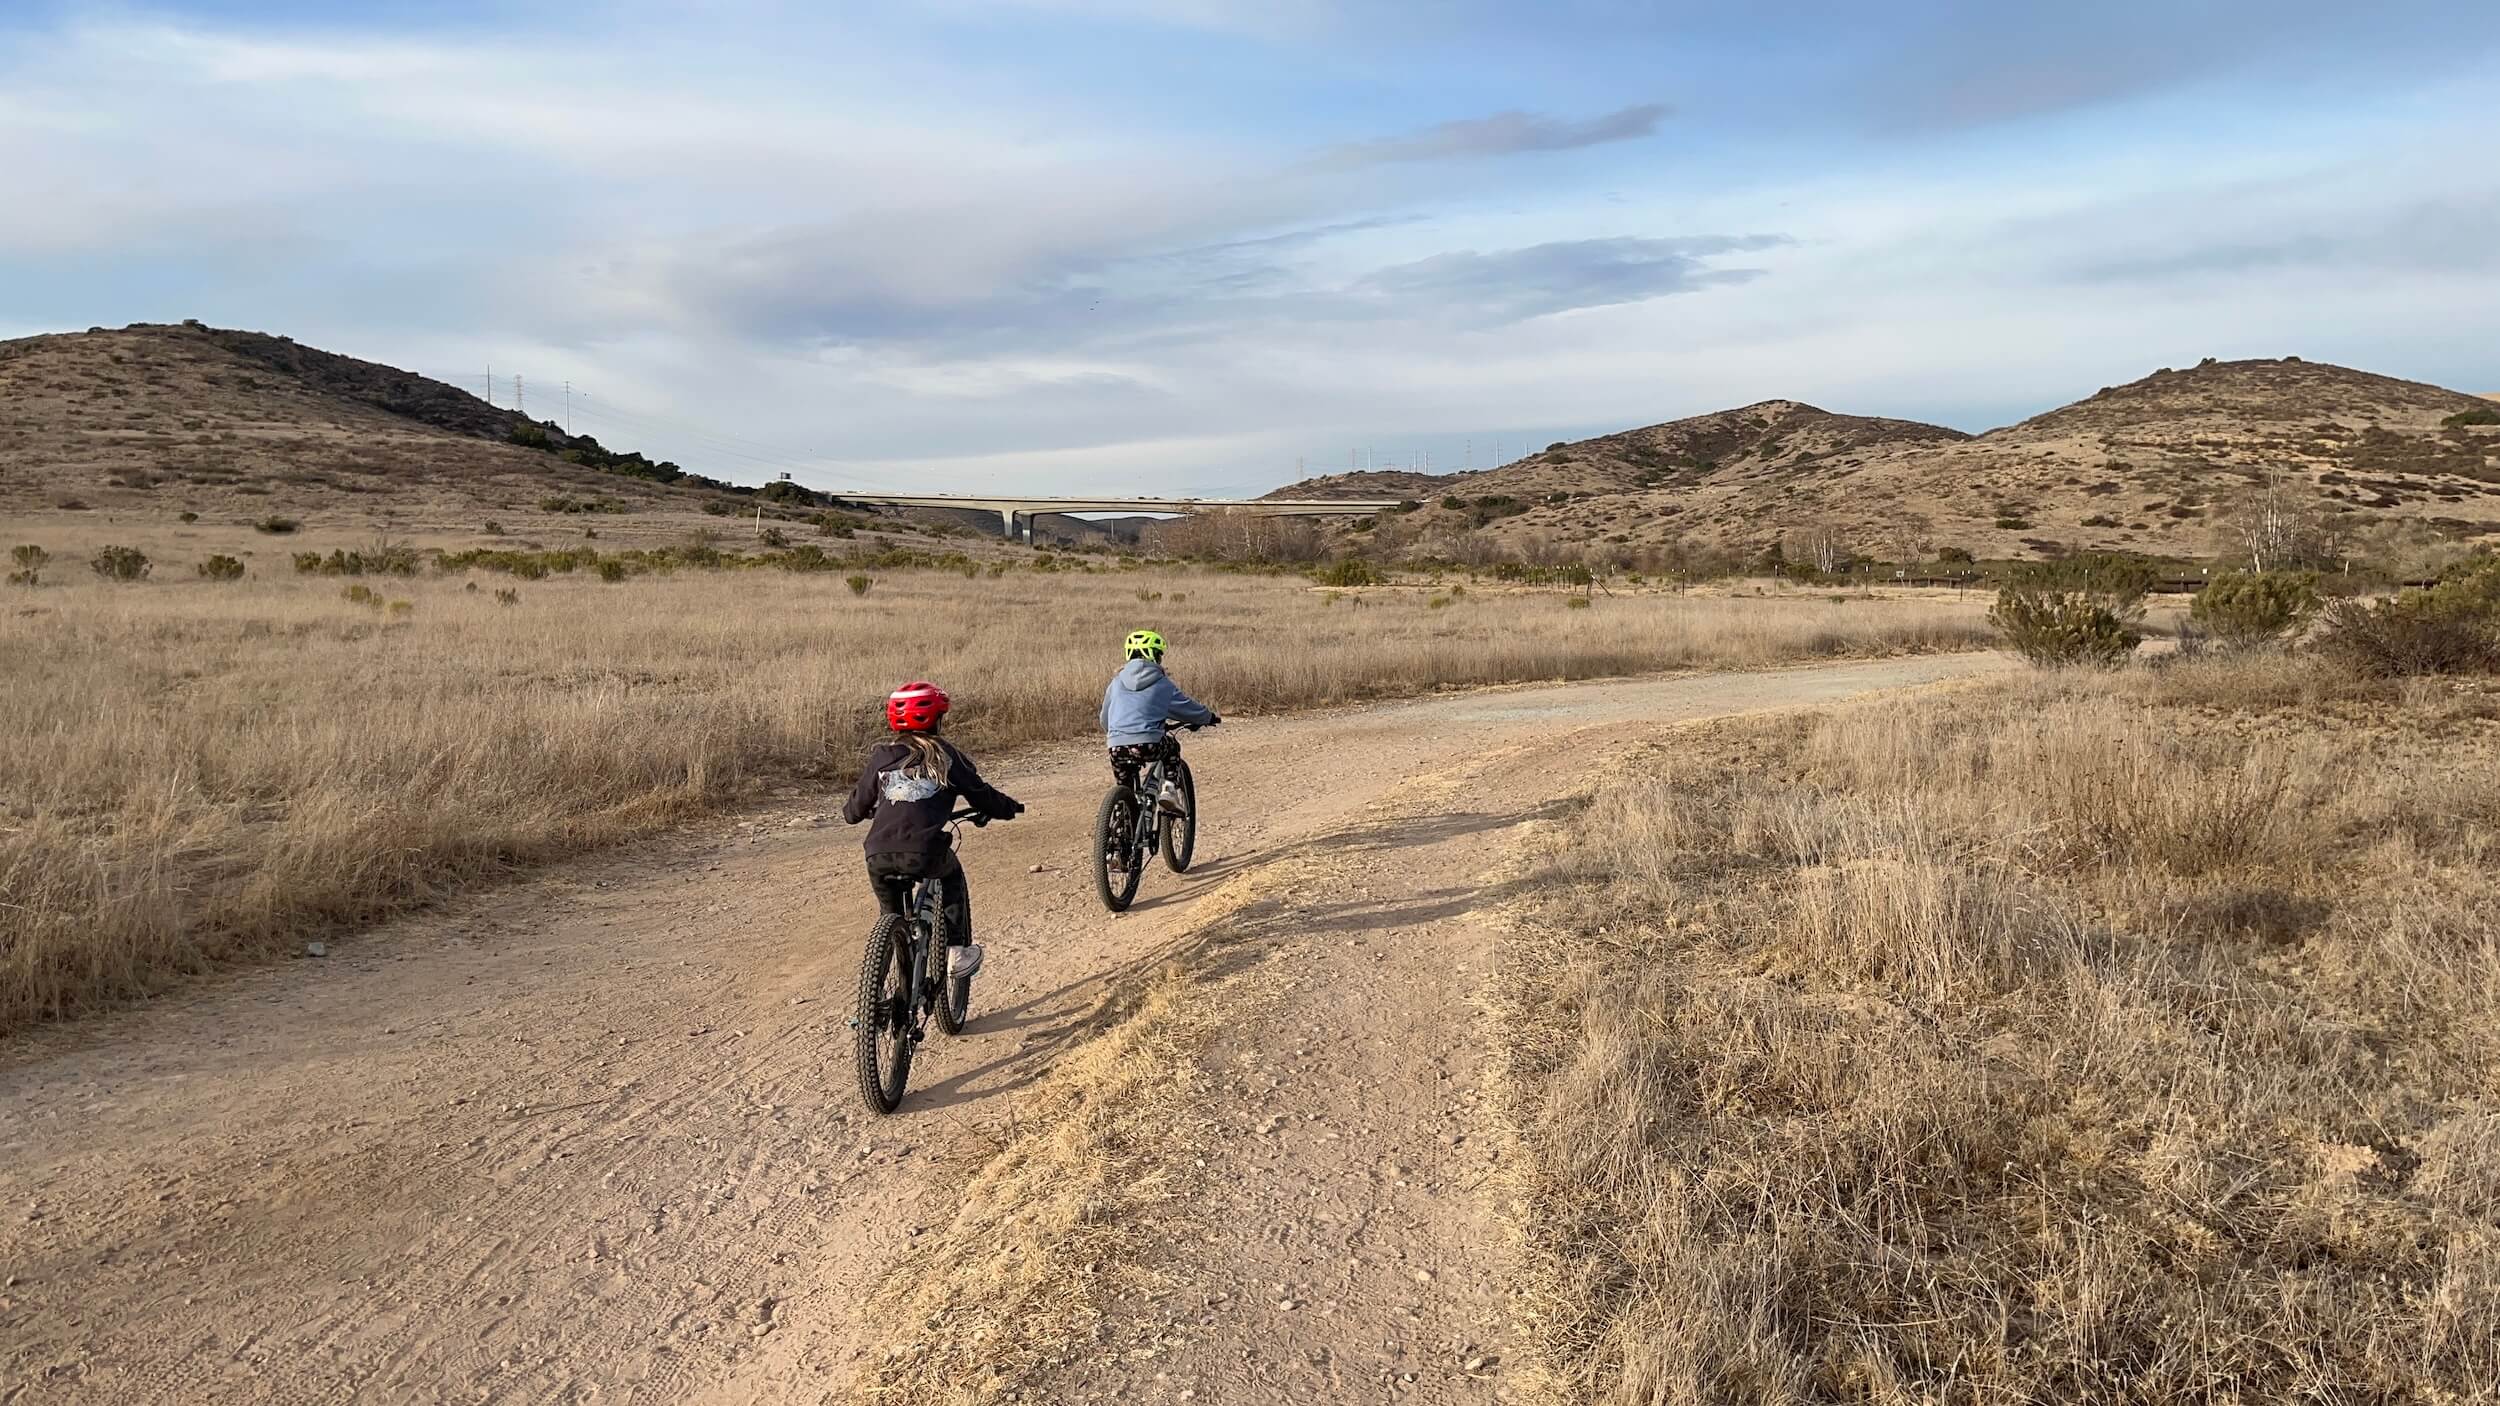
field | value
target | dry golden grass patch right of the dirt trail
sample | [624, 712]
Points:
[2081, 1039]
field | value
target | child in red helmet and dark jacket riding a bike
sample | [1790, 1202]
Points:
[909, 789]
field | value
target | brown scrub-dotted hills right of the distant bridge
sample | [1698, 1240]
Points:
[2144, 467]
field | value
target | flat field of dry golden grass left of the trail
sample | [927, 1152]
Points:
[199, 772]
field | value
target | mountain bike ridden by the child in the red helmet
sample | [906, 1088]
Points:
[904, 982]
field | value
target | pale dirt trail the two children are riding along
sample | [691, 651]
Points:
[596, 1137]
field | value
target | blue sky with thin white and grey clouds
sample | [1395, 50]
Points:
[1199, 244]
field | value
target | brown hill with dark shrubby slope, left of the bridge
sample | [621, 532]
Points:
[154, 422]
